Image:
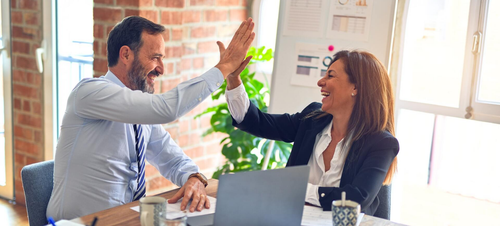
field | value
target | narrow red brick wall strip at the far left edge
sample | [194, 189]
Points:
[26, 87]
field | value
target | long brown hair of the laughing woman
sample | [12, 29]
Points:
[374, 108]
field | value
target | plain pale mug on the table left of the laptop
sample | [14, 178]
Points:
[152, 210]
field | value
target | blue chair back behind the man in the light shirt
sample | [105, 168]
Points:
[38, 182]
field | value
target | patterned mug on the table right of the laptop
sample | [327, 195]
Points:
[346, 215]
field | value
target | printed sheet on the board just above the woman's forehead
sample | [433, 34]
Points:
[311, 63]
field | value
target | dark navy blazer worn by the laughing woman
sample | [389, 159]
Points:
[366, 164]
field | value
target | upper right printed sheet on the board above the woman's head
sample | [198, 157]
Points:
[349, 19]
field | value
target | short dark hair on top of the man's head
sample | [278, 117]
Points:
[128, 33]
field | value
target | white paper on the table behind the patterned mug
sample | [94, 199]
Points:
[316, 216]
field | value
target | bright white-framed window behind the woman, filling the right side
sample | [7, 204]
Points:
[448, 110]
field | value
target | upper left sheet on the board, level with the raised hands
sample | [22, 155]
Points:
[305, 18]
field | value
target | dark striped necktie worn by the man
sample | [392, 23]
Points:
[139, 146]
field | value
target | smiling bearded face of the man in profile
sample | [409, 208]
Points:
[147, 64]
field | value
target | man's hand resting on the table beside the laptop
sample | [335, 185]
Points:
[193, 189]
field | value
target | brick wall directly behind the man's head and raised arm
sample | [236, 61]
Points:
[192, 29]
